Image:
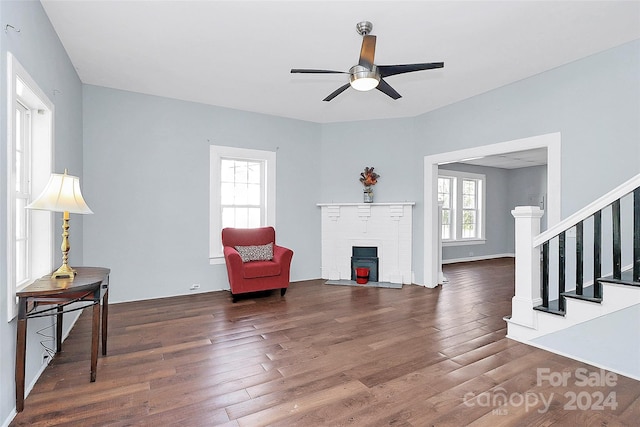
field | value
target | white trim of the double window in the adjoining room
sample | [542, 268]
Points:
[456, 217]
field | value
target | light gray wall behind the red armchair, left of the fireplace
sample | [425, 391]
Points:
[147, 166]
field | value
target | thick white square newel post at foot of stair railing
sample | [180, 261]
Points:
[527, 294]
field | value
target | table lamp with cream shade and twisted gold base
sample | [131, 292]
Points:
[62, 194]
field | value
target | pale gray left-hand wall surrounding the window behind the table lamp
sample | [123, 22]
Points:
[40, 52]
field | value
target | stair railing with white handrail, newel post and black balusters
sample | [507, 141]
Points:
[535, 286]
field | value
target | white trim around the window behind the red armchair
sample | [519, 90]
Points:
[217, 152]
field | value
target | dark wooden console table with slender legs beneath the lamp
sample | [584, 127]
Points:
[90, 286]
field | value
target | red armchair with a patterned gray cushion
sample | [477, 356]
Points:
[251, 266]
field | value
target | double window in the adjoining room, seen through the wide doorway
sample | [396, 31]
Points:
[461, 196]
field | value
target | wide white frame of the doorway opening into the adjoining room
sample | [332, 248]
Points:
[551, 141]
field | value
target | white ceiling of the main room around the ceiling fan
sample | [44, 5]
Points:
[238, 54]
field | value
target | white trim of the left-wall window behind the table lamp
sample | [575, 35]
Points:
[41, 224]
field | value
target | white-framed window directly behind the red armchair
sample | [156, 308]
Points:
[242, 192]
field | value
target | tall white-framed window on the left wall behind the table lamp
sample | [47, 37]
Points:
[29, 160]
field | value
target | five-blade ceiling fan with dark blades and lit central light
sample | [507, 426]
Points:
[366, 75]
